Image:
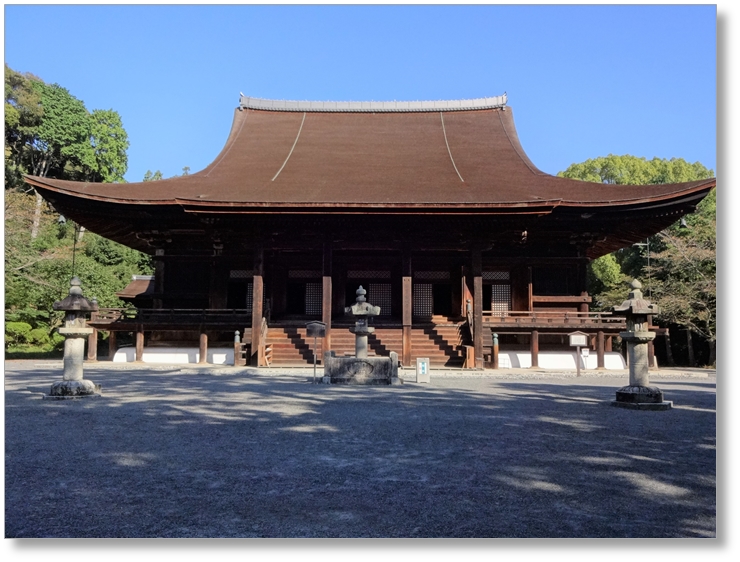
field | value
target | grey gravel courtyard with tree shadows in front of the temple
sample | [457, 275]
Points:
[241, 452]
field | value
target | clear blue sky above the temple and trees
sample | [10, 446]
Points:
[583, 81]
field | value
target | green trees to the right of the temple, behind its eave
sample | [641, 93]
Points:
[682, 268]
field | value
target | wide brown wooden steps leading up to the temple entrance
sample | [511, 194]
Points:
[441, 343]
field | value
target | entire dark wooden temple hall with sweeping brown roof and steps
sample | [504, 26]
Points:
[434, 209]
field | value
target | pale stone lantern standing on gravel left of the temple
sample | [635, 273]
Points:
[75, 332]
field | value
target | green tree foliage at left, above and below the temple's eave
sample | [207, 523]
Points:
[49, 132]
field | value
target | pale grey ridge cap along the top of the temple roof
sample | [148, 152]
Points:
[495, 102]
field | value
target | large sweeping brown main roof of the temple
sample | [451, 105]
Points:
[343, 159]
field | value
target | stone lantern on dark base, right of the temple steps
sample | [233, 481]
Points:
[638, 394]
